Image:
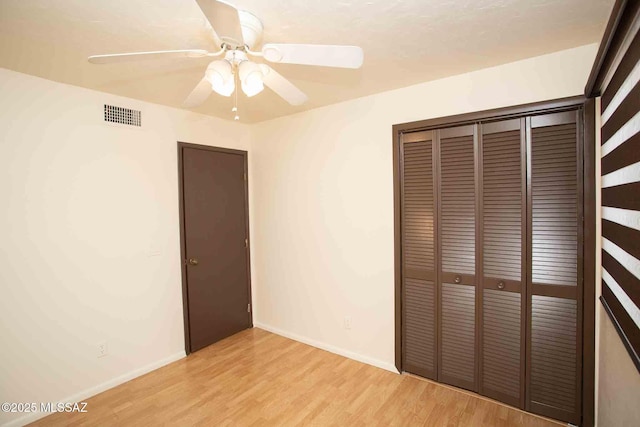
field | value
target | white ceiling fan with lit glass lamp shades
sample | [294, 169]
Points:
[238, 32]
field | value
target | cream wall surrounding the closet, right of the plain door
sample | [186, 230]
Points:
[323, 245]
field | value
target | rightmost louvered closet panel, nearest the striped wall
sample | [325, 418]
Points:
[555, 294]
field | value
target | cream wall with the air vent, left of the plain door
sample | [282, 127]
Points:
[89, 237]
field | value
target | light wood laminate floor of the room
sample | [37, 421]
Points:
[256, 378]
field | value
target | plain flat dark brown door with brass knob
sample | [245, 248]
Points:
[215, 243]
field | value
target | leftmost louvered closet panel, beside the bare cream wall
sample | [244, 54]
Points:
[418, 255]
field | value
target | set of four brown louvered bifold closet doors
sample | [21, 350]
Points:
[491, 236]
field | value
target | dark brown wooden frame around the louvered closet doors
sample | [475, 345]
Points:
[588, 229]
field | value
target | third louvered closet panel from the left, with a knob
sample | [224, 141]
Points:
[503, 212]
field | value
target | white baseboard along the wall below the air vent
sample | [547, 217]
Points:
[92, 391]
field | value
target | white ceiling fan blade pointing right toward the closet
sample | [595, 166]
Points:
[312, 54]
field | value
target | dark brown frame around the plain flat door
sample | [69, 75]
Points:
[183, 251]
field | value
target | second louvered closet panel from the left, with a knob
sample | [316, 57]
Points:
[457, 279]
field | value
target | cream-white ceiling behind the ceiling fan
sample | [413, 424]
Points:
[405, 42]
